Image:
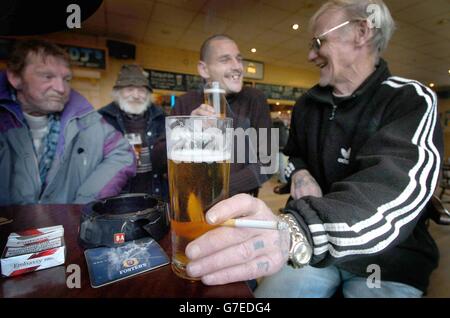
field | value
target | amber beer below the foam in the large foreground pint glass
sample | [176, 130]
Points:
[194, 188]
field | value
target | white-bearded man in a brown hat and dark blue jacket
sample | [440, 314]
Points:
[132, 111]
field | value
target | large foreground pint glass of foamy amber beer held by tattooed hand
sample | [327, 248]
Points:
[199, 155]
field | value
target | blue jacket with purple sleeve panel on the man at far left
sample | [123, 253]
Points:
[92, 159]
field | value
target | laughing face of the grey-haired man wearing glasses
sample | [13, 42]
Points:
[336, 55]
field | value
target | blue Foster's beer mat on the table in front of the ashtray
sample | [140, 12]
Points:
[107, 265]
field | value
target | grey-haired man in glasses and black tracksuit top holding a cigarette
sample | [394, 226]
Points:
[365, 149]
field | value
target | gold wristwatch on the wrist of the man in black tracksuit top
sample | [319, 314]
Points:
[300, 251]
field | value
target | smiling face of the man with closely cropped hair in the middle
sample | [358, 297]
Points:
[223, 63]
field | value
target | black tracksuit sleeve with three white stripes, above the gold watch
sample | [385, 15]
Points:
[378, 206]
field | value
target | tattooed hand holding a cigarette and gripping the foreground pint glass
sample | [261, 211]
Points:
[229, 254]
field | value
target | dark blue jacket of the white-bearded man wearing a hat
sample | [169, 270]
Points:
[155, 133]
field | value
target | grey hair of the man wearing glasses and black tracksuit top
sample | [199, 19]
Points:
[359, 10]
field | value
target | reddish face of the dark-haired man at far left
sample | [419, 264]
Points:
[43, 87]
